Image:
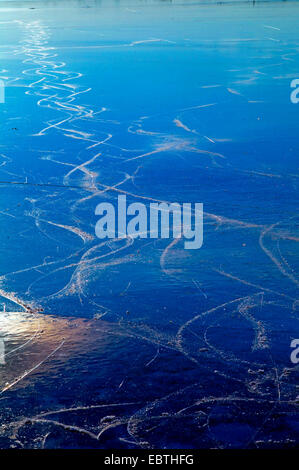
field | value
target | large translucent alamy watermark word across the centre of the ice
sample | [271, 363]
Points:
[159, 220]
